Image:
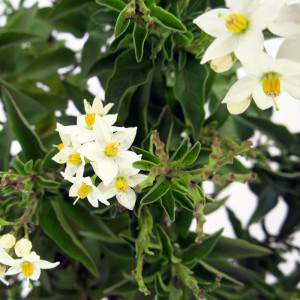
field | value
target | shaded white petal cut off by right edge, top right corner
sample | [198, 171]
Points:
[287, 23]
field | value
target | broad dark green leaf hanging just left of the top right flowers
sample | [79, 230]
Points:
[190, 90]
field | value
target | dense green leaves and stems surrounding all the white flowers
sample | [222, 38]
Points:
[145, 54]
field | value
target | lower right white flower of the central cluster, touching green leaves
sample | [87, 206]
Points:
[121, 187]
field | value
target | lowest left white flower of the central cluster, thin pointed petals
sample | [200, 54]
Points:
[83, 188]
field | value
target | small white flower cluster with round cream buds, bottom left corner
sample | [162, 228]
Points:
[28, 264]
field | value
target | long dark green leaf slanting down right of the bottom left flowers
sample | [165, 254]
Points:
[51, 226]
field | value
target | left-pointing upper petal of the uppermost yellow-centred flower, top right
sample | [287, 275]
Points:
[213, 22]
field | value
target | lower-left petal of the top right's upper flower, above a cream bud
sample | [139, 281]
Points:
[220, 47]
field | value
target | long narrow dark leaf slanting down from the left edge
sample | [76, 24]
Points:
[31, 144]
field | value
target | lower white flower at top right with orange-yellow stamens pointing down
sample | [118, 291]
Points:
[266, 79]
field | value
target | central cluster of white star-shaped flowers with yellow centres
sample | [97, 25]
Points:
[96, 141]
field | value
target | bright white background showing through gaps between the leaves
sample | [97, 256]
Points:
[241, 200]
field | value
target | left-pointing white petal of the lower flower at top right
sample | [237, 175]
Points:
[241, 90]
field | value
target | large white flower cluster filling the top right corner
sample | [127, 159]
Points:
[238, 32]
